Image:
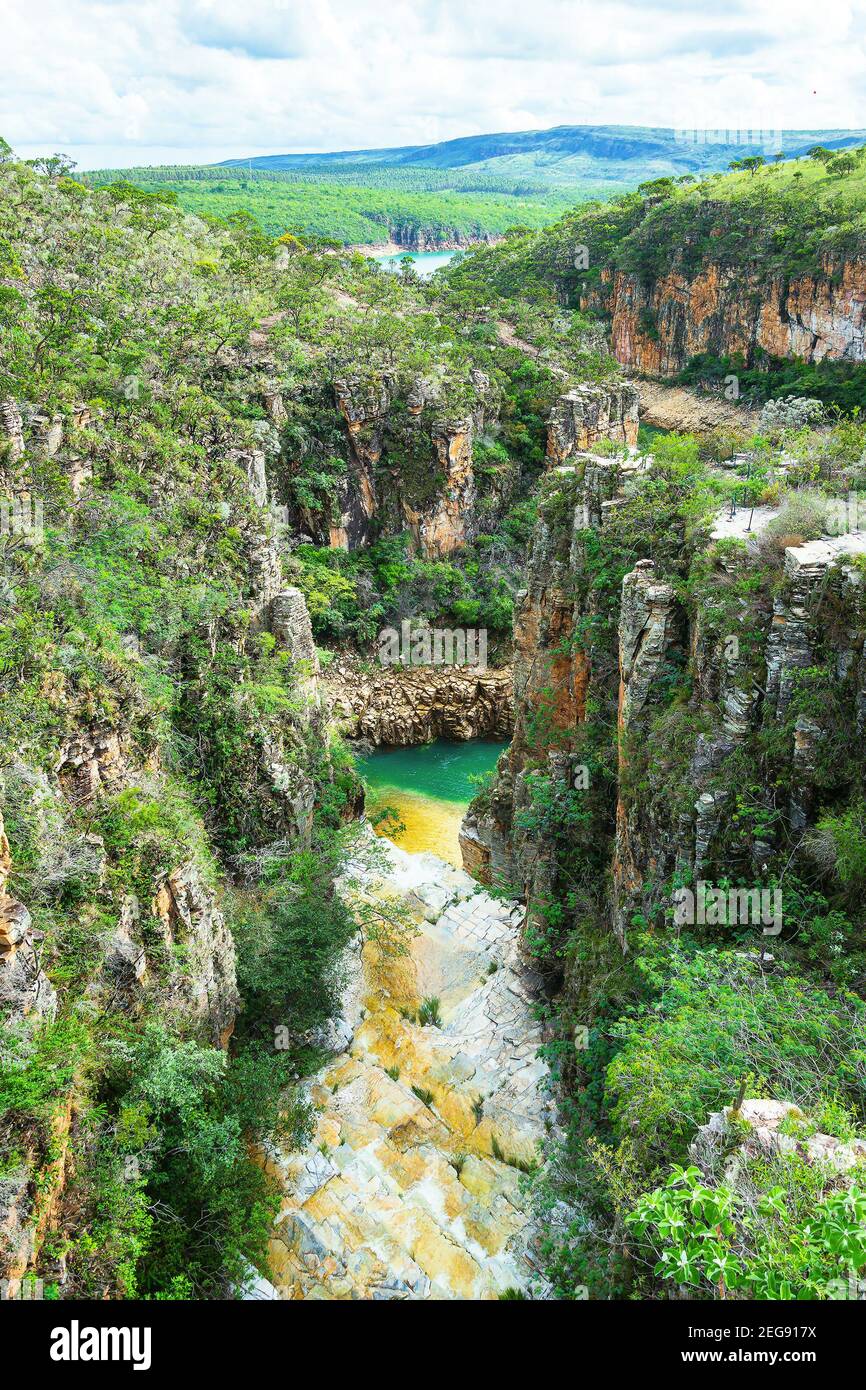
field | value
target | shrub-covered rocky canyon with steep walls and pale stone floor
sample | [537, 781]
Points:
[254, 1047]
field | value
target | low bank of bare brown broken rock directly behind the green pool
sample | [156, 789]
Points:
[404, 707]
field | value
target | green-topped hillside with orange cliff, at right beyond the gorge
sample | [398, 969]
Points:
[754, 276]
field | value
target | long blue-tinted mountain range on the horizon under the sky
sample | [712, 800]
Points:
[578, 154]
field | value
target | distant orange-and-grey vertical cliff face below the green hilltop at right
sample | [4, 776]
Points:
[722, 312]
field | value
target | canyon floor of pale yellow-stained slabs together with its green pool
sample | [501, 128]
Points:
[432, 1115]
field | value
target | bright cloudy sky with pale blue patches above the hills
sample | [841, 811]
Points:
[130, 83]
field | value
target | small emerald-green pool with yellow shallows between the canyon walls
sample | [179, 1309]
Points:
[430, 787]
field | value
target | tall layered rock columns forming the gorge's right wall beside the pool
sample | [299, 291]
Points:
[697, 678]
